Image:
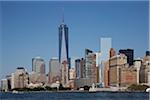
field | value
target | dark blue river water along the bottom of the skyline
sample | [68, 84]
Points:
[75, 96]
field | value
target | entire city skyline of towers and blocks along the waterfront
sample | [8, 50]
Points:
[105, 68]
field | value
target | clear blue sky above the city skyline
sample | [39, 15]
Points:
[30, 29]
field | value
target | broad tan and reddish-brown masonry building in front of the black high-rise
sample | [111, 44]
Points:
[120, 74]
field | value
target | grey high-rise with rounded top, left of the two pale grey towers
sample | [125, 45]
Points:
[38, 65]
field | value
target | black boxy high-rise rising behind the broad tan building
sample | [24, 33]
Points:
[130, 55]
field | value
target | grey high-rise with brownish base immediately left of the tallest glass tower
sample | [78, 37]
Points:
[54, 70]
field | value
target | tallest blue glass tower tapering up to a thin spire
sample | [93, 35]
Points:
[63, 43]
